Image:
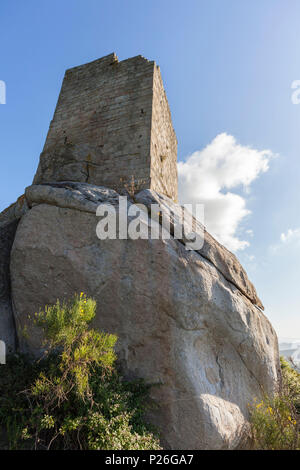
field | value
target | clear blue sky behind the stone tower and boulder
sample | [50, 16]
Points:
[227, 67]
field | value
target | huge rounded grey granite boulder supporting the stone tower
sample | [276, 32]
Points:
[186, 320]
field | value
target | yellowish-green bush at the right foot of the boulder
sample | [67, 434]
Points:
[276, 421]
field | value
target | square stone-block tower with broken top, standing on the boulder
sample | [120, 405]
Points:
[112, 127]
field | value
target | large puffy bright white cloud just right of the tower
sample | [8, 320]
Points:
[208, 174]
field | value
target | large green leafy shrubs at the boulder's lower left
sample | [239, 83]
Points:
[72, 398]
